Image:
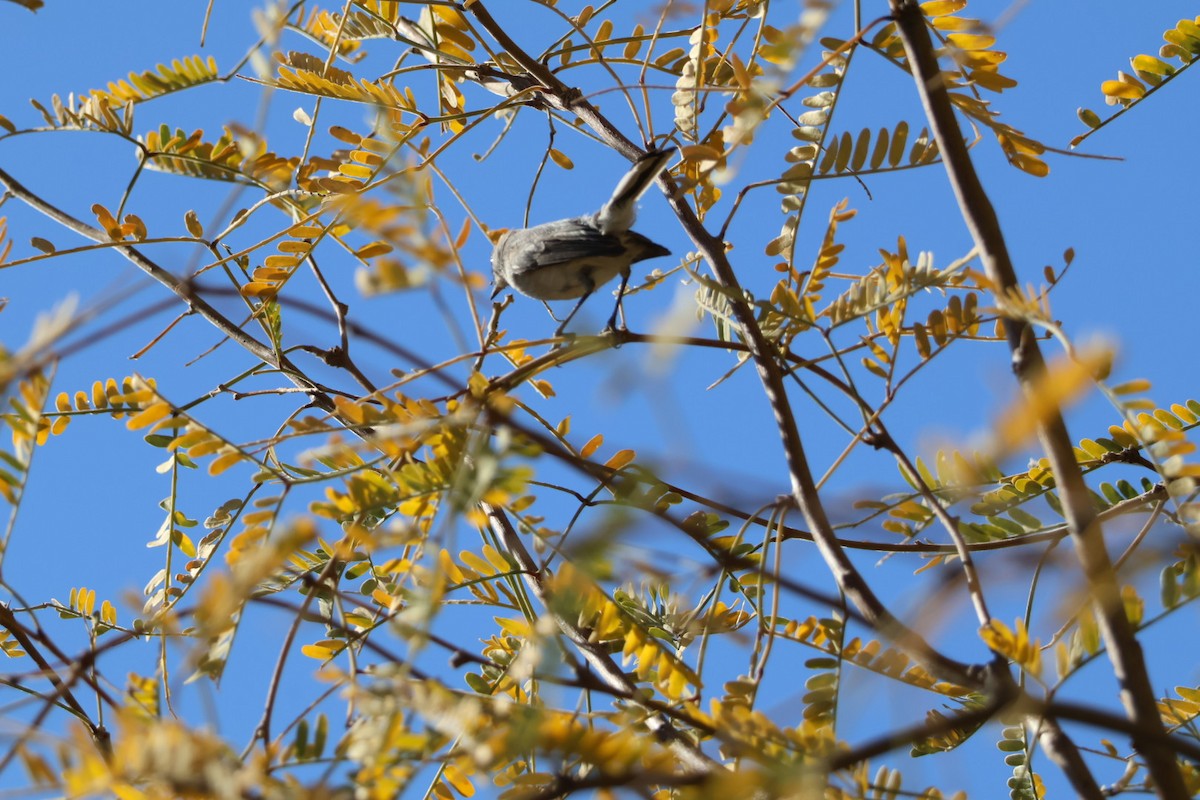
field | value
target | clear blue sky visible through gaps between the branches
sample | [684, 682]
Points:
[94, 495]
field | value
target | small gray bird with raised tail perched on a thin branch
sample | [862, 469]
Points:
[572, 258]
